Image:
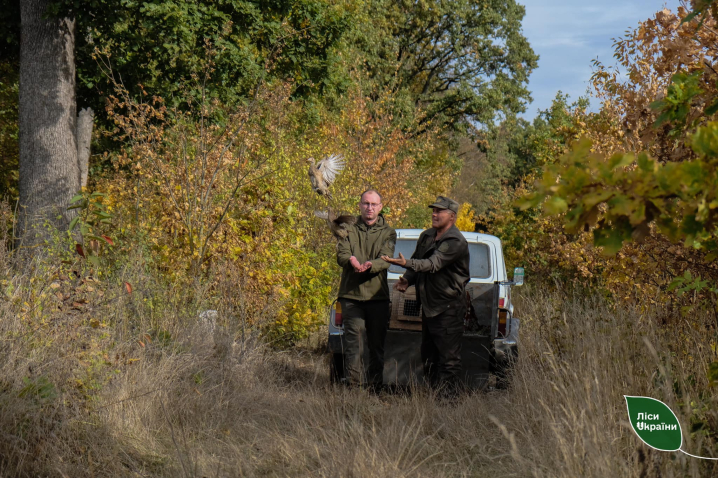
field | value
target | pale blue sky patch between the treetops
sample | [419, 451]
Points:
[568, 34]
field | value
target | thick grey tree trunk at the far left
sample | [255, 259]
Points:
[49, 170]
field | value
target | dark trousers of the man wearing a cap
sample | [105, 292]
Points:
[441, 347]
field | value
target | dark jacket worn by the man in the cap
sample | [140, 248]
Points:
[440, 270]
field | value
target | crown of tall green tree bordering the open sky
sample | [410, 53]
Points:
[464, 62]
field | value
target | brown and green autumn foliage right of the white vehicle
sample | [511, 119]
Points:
[624, 198]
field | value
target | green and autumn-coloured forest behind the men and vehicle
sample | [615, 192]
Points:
[197, 195]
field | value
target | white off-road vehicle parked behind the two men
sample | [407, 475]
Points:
[491, 332]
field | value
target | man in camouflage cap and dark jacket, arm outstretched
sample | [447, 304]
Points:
[439, 268]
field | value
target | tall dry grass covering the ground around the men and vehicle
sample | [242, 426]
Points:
[134, 384]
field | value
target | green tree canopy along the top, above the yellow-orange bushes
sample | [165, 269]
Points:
[461, 62]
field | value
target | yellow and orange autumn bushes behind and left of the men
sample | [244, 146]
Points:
[221, 193]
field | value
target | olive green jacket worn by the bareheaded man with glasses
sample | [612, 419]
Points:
[366, 243]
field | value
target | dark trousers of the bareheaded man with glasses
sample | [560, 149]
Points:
[370, 319]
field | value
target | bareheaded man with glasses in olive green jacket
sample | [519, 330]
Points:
[363, 290]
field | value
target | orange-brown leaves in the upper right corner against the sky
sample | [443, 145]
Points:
[651, 55]
